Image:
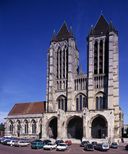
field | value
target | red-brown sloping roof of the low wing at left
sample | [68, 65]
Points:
[28, 108]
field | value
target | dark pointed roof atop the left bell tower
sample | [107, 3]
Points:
[63, 34]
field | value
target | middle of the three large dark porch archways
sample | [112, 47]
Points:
[75, 128]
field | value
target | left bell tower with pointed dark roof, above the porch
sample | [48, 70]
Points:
[62, 65]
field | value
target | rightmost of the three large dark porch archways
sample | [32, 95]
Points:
[99, 127]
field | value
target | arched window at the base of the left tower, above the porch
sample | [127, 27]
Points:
[62, 103]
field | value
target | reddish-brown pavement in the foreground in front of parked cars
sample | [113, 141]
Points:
[73, 149]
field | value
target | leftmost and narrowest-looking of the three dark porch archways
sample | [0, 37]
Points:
[52, 128]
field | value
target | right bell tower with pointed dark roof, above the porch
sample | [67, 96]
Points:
[103, 82]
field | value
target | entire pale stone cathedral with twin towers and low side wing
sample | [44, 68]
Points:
[77, 104]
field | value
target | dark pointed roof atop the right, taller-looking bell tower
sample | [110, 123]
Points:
[102, 27]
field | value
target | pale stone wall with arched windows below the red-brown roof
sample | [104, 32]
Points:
[24, 126]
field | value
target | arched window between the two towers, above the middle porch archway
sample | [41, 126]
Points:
[81, 101]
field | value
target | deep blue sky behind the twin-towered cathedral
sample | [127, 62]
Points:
[26, 28]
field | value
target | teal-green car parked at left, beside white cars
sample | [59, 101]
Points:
[37, 144]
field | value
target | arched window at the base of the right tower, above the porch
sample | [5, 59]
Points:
[101, 102]
